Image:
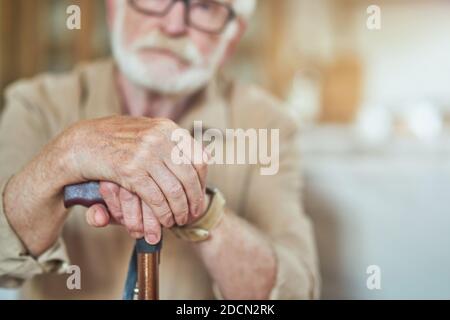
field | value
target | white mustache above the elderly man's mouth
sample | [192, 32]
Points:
[184, 48]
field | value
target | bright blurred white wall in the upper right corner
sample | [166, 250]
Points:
[409, 58]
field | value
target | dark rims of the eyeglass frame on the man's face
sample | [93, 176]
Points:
[231, 14]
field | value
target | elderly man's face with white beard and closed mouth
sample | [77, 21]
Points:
[162, 53]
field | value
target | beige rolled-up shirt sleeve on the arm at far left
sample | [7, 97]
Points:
[24, 131]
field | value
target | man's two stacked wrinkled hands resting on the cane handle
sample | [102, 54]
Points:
[145, 188]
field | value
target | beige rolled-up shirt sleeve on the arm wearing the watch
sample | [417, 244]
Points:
[274, 206]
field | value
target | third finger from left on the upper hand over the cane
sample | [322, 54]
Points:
[188, 177]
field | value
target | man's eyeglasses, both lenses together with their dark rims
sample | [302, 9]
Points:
[208, 16]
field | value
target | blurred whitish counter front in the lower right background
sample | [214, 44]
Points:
[388, 207]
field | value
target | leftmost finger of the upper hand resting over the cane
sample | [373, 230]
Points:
[147, 189]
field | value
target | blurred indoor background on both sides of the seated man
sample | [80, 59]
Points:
[373, 105]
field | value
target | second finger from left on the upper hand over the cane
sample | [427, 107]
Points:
[173, 191]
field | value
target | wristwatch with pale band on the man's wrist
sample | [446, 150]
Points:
[200, 229]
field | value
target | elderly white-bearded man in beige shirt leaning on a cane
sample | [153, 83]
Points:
[112, 121]
